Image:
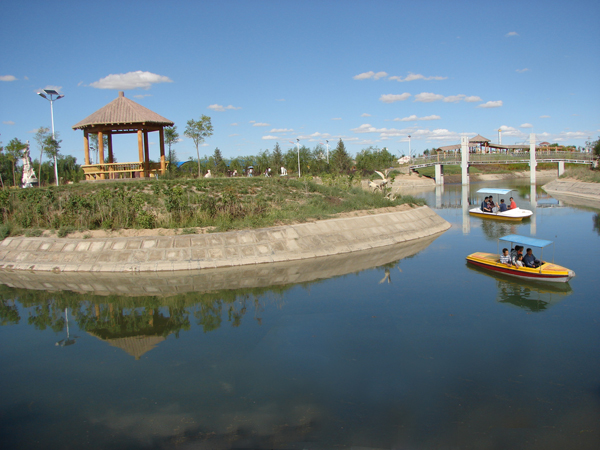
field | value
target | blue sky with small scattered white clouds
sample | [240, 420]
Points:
[369, 72]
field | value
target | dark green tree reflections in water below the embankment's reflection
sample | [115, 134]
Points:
[119, 317]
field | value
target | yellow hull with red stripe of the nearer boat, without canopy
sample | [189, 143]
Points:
[548, 272]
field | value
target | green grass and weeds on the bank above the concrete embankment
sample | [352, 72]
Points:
[188, 205]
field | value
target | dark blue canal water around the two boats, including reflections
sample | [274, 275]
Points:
[404, 348]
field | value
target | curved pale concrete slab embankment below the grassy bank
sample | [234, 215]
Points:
[236, 248]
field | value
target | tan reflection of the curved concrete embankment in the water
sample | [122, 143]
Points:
[167, 284]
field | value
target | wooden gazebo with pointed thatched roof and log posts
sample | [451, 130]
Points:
[123, 116]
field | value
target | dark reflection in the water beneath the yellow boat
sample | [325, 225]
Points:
[532, 296]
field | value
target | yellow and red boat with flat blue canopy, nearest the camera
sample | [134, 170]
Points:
[545, 272]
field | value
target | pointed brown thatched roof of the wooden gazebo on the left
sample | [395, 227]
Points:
[122, 111]
